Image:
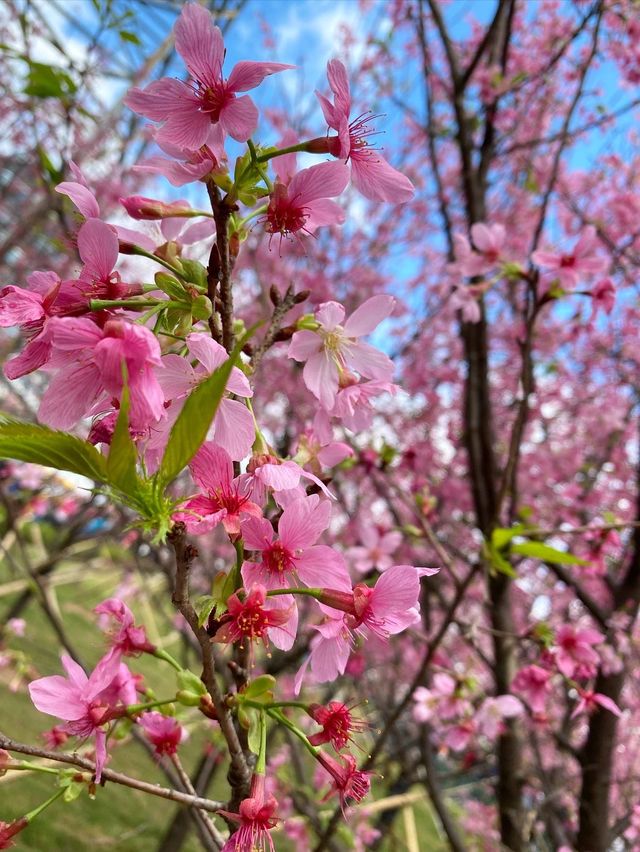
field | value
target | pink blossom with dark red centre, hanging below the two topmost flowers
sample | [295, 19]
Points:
[302, 203]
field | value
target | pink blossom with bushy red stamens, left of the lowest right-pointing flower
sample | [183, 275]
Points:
[256, 617]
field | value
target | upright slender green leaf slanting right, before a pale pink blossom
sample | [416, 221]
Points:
[190, 429]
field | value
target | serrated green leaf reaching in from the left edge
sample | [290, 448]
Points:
[37, 444]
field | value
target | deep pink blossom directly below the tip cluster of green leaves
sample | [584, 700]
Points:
[224, 499]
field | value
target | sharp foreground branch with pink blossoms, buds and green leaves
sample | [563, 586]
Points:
[174, 437]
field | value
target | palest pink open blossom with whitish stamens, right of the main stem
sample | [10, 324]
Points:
[334, 347]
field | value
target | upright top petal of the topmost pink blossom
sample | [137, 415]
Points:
[199, 43]
